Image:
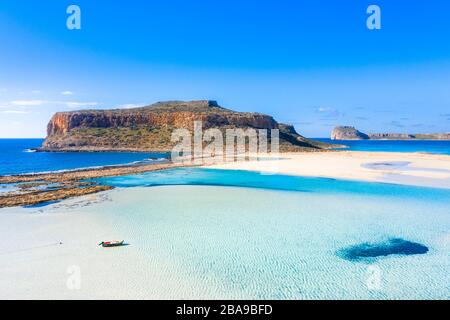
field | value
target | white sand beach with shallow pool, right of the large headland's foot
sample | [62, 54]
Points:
[419, 169]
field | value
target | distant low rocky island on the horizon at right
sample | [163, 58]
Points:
[351, 133]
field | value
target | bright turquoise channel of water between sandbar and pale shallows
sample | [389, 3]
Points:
[248, 179]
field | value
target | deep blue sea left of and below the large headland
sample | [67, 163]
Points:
[16, 158]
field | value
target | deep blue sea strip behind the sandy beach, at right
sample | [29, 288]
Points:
[428, 146]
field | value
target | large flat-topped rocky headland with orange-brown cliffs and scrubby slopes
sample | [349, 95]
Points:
[149, 128]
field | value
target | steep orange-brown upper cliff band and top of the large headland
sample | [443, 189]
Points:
[170, 115]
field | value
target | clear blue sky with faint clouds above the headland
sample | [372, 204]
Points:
[310, 63]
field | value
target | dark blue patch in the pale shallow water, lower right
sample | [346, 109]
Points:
[370, 251]
